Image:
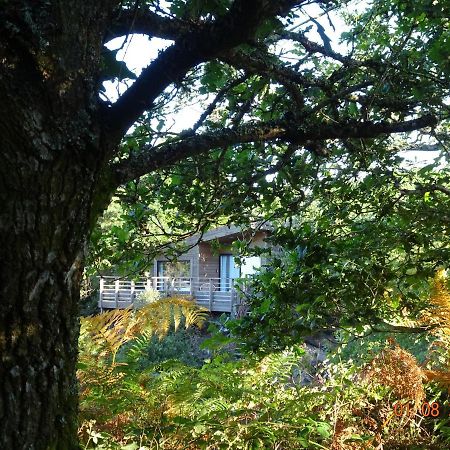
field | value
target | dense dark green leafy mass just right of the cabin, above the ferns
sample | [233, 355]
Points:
[360, 253]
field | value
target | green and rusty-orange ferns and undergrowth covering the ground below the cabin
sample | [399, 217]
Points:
[139, 390]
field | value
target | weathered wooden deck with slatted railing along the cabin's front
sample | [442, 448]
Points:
[212, 293]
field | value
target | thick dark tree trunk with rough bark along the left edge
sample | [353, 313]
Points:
[52, 154]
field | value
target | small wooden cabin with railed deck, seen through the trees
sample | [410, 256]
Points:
[208, 272]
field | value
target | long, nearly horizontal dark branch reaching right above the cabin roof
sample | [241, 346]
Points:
[157, 157]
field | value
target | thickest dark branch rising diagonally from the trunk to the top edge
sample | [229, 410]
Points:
[213, 38]
